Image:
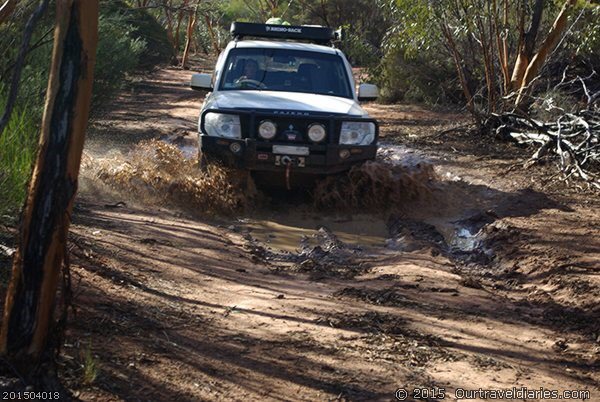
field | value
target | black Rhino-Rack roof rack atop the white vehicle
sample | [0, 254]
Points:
[315, 34]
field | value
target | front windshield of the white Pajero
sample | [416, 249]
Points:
[286, 70]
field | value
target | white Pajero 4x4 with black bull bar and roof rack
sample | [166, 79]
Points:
[285, 102]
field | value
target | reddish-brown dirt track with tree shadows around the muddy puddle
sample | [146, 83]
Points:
[174, 306]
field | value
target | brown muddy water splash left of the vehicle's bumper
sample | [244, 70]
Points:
[156, 171]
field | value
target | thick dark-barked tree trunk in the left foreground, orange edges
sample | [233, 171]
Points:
[30, 300]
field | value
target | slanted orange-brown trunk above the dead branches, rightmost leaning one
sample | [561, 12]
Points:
[559, 26]
